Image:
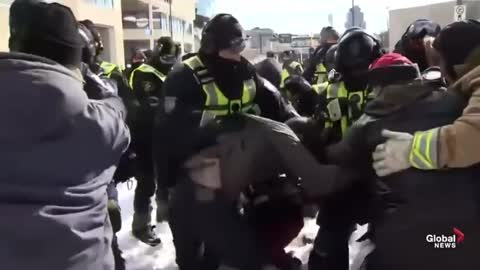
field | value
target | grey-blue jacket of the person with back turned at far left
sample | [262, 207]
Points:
[58, 152]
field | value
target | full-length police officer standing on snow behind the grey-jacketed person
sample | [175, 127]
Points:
[147, 81]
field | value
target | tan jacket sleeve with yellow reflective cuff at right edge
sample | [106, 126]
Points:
[455, 145]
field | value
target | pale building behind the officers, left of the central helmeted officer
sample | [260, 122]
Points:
[144, 21]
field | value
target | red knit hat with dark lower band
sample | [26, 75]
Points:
[393, 68]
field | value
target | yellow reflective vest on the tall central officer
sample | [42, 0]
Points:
[216, 104]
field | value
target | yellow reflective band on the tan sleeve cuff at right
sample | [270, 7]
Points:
[424, 153]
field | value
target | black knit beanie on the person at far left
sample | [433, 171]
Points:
[45, 29]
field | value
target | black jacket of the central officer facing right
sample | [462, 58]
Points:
[177, 132]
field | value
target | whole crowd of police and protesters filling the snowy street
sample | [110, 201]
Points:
[235, 153]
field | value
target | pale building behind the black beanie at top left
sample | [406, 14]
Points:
[106, 14]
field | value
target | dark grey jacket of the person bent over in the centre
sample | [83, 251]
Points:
[260, 150]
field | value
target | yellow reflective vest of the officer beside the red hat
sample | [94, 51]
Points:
[337, 91]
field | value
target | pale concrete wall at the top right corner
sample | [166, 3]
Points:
[442, 13]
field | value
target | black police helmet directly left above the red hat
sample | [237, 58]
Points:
[356, 51]
